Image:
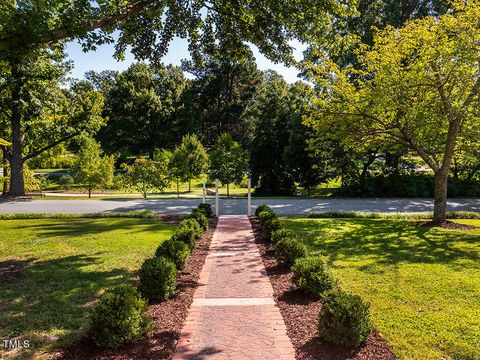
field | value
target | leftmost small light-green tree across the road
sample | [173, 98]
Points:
[92, 168]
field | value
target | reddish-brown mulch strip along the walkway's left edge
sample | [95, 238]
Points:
[168, 317]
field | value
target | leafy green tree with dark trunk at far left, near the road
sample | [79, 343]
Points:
[38, 113]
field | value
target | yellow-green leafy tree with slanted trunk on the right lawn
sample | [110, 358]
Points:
[420, 87]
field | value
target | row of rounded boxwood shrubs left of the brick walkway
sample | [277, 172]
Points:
[119, 317]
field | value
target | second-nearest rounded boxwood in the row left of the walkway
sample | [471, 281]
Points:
[158, 279]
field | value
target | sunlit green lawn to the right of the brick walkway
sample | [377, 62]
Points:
[423, 284]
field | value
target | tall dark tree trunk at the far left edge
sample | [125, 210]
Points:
[17, 183]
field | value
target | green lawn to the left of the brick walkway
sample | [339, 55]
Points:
[68, 264]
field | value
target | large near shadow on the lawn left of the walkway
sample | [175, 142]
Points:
[53, 297]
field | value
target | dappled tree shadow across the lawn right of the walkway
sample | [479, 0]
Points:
[388, 242]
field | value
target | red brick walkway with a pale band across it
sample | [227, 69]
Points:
[233, 314]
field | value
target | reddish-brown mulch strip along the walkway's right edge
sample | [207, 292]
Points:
[300, 313]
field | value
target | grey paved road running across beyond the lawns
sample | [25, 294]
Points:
[232, 206]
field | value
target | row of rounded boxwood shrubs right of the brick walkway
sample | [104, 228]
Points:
[344, 318]
